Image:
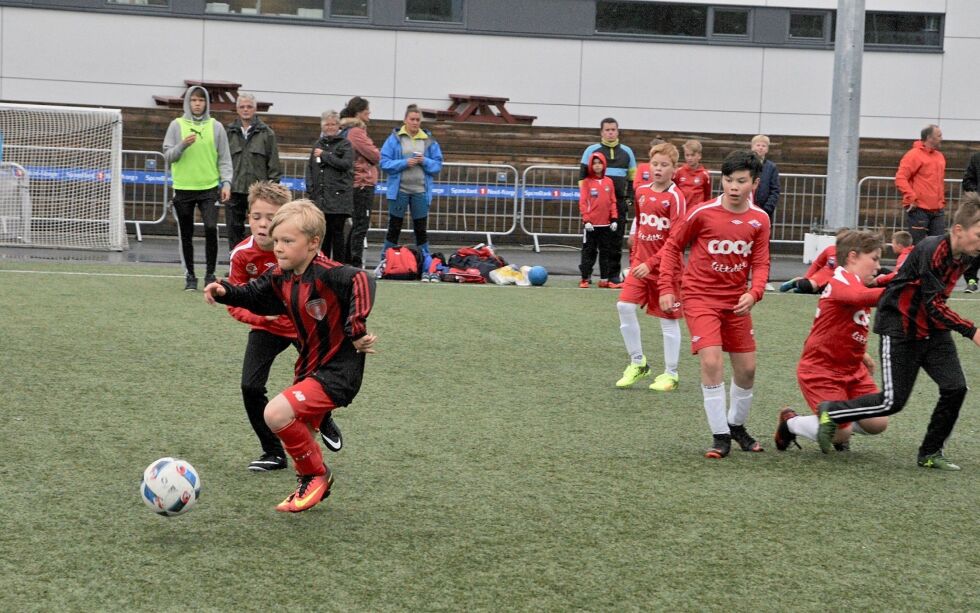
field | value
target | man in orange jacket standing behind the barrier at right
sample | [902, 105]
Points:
[921, 179]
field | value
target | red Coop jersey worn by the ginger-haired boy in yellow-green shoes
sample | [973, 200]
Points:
[656, 213]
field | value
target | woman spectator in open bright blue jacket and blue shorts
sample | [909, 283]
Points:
[410, 158]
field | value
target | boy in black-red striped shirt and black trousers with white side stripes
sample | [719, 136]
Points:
[914, 324]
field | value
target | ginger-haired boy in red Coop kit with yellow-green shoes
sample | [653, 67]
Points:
[659, 205]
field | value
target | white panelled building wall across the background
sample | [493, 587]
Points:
[122, 60]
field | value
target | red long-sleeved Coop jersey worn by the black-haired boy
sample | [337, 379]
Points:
[725, 248]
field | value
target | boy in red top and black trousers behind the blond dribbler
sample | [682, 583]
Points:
[270, 335]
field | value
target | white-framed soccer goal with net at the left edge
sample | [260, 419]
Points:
[61, 177]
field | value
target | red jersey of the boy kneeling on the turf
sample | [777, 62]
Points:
[839, 337]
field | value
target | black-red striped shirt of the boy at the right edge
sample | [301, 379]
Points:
[914, 303]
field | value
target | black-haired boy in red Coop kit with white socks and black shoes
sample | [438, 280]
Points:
[729, 240]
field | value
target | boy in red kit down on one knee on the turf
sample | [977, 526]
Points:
[835, 362]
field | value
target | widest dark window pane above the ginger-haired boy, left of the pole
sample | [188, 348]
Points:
[653, 19]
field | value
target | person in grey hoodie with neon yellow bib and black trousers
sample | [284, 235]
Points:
[196, 148]
